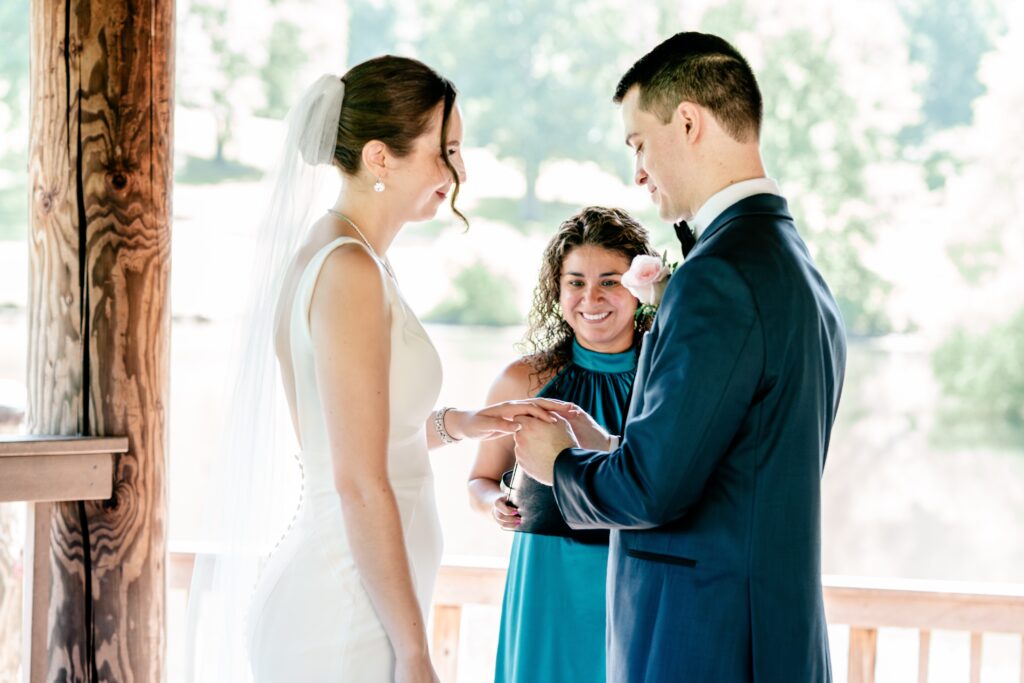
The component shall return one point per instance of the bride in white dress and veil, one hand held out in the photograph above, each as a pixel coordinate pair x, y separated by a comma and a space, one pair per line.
345, 595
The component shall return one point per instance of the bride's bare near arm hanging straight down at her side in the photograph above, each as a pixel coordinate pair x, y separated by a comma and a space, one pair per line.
350, 323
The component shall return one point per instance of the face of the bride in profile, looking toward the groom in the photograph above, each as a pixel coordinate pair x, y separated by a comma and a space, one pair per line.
421, 181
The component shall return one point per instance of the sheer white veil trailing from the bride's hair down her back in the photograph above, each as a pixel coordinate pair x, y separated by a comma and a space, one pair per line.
257, 485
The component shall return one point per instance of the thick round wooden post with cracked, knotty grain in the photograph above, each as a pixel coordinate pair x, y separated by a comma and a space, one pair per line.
101, 172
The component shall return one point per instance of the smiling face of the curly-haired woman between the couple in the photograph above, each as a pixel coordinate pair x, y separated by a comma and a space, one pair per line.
593, 301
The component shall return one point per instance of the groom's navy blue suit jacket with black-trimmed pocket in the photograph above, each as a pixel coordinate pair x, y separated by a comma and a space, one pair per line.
714, 496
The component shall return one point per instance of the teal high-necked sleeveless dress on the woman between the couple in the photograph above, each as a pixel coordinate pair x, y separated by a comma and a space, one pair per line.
553, 614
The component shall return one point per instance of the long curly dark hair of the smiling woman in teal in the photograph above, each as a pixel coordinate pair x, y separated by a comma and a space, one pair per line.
548, 345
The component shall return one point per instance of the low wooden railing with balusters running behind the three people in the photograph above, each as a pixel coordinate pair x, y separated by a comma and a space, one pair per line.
865, 606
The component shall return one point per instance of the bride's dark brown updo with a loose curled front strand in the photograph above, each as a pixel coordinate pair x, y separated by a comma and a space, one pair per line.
392, 100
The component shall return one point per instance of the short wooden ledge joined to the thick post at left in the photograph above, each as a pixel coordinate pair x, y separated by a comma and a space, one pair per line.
38, 469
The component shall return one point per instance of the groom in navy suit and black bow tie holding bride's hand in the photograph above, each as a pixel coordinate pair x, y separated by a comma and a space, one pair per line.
714, 494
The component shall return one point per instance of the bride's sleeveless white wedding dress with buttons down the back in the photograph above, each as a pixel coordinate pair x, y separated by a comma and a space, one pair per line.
311, 618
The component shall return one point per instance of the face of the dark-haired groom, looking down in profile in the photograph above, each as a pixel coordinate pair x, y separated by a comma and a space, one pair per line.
661, 156
